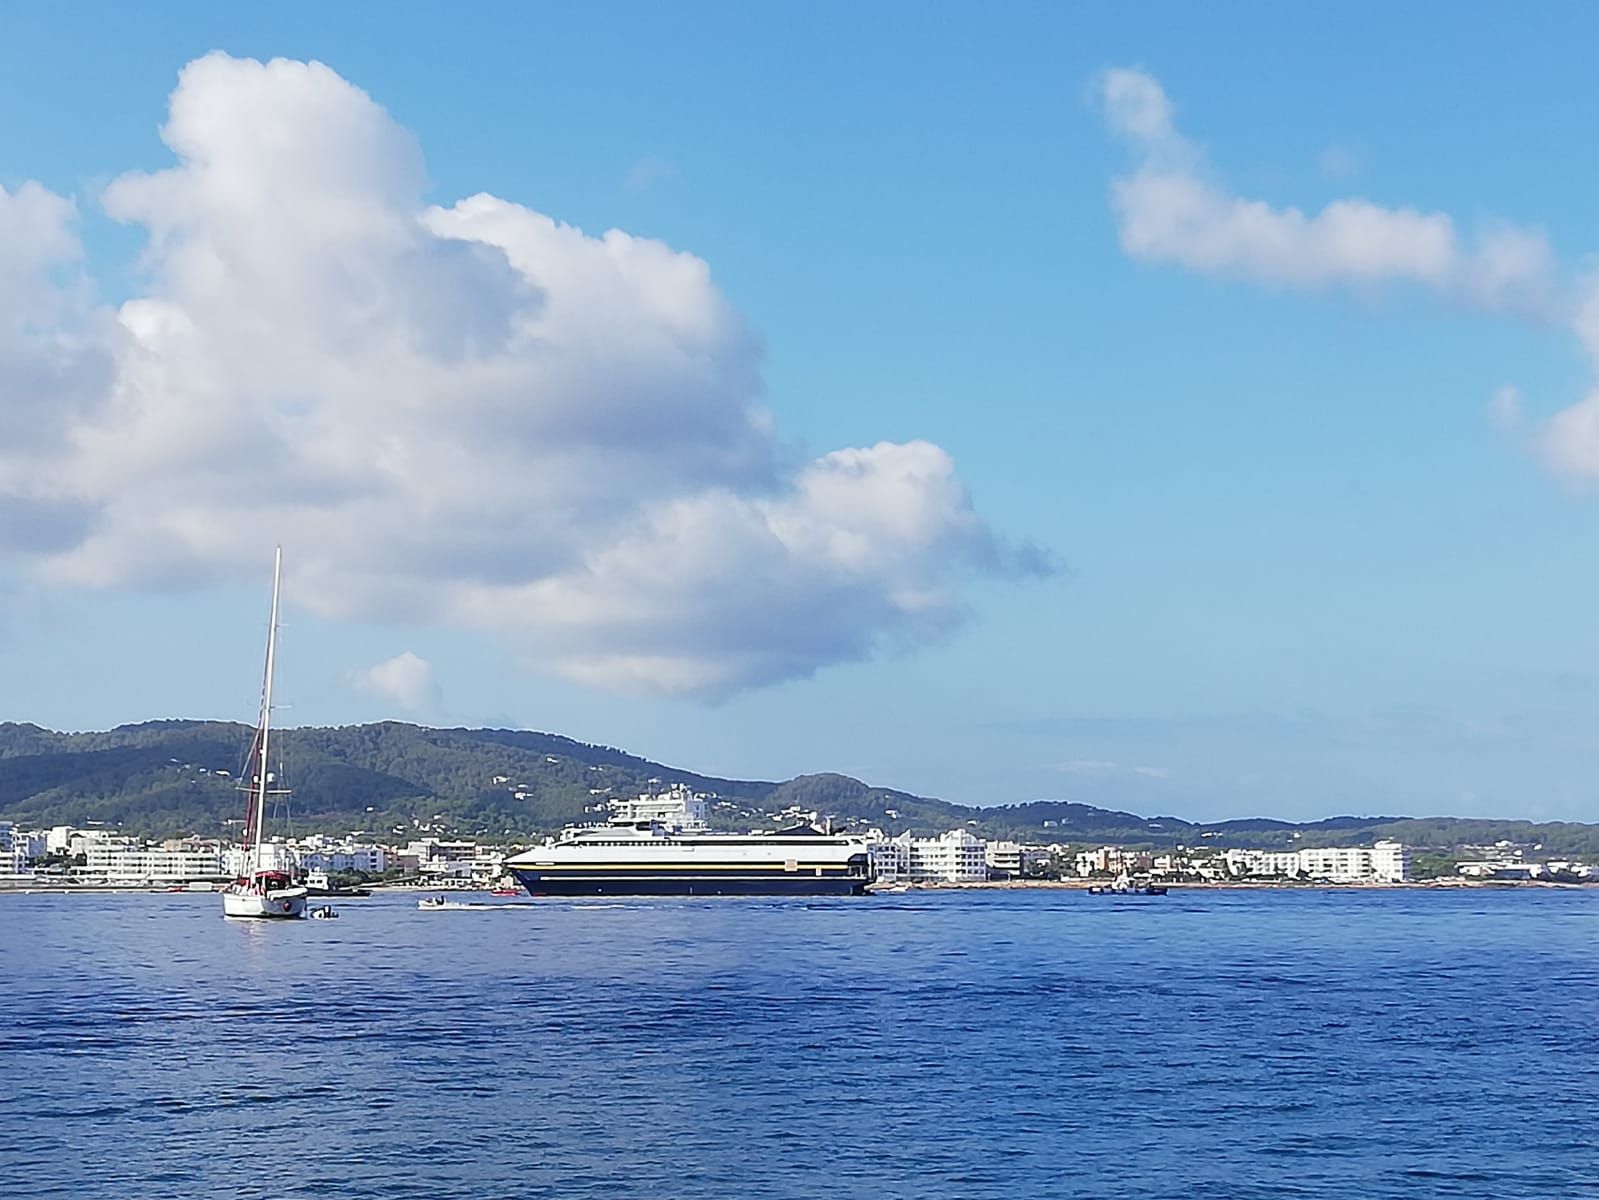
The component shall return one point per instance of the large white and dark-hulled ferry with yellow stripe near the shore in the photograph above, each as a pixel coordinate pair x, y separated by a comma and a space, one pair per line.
661, 846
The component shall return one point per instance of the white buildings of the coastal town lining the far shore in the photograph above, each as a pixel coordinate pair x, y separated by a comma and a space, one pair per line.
108, 858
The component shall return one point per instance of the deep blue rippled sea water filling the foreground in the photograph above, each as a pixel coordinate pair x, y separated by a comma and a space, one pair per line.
979, 1044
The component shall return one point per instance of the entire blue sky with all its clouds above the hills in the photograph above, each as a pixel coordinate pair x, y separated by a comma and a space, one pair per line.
1186, 410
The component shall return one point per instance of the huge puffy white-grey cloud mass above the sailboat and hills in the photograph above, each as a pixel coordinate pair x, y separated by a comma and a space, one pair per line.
469, 415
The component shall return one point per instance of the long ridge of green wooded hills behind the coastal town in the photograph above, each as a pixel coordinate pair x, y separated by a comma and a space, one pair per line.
393, 780
